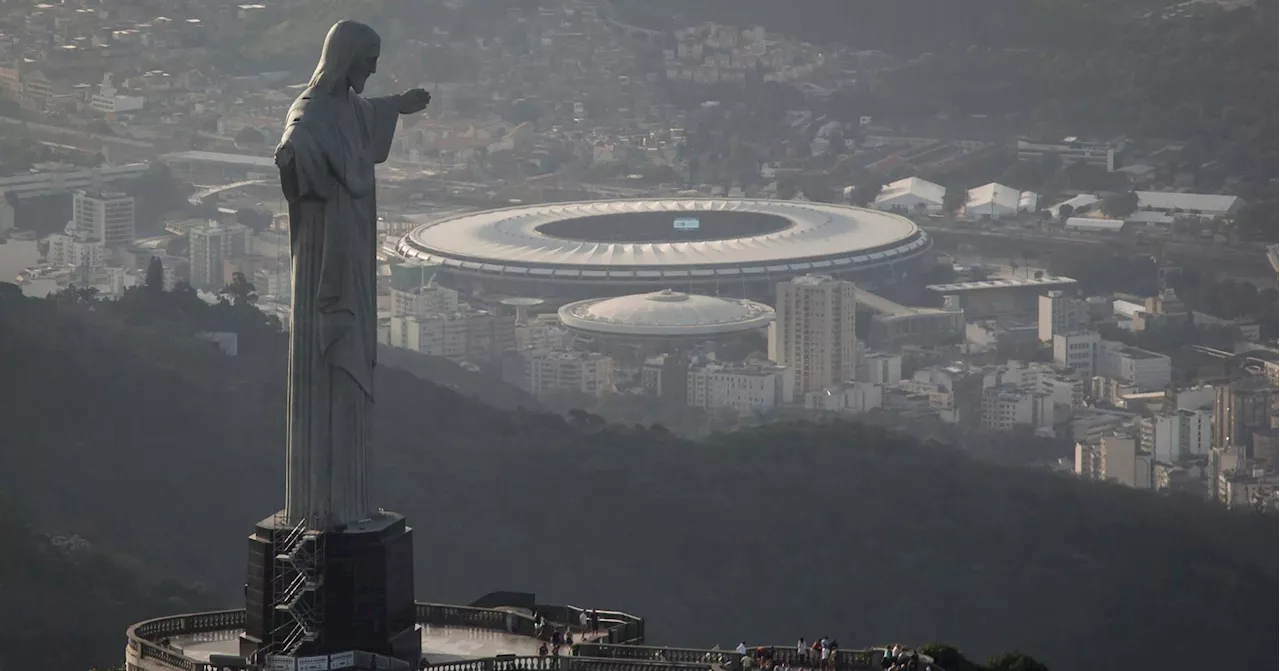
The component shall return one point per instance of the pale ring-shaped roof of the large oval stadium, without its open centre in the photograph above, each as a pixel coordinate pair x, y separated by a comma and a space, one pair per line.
819, 238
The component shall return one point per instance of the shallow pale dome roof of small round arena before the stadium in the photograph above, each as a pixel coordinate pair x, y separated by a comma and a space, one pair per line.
666, 314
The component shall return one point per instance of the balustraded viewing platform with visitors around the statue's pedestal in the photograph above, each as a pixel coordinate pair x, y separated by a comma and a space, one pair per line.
470, 638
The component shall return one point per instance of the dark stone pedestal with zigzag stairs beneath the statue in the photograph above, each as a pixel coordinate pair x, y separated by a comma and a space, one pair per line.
323, 594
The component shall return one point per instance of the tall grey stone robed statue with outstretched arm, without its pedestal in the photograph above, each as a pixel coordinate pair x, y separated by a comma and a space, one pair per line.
333, 139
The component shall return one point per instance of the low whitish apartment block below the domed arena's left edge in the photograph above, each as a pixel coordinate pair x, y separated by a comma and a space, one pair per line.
543, 372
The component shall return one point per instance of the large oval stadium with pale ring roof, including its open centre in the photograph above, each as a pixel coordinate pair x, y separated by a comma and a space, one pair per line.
714, 247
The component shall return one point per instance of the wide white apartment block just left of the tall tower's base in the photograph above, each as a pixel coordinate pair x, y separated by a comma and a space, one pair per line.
742, 387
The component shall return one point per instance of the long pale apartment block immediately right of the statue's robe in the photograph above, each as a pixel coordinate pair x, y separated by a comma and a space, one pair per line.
473, 336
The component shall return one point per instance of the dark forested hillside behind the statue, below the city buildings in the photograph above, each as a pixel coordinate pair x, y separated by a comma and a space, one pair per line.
124, 430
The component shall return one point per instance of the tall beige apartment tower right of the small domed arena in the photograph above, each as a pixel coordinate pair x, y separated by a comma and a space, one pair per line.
813, 332
